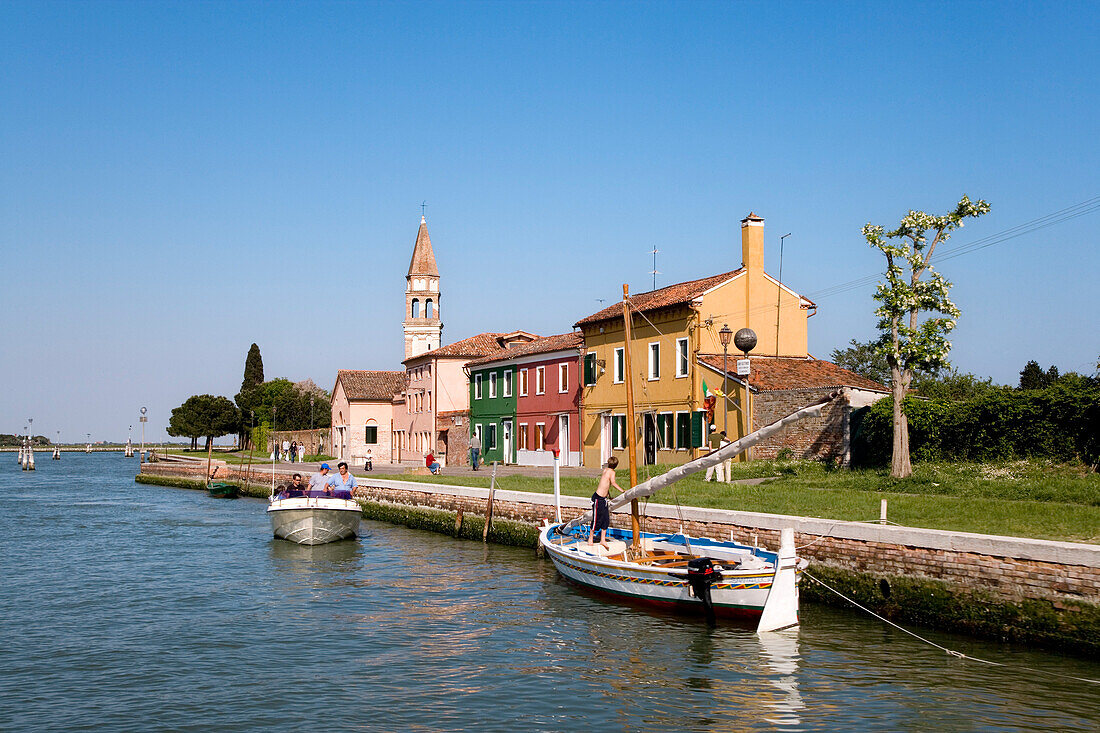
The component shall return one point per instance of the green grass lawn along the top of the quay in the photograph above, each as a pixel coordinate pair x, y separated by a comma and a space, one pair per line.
1022, 499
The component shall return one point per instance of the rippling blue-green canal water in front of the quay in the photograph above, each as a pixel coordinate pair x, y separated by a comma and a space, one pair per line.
129, 607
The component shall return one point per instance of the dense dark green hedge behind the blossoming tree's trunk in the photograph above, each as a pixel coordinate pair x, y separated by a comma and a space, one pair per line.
1061, 422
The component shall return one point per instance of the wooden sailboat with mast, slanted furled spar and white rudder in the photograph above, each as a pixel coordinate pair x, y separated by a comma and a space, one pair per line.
697, 575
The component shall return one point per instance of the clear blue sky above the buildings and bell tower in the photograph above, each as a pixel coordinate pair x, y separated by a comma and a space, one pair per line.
181, 180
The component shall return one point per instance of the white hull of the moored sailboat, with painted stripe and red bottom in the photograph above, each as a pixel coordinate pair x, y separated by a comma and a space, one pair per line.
740, 593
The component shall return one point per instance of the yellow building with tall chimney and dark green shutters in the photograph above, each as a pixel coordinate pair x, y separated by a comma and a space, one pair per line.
673, 329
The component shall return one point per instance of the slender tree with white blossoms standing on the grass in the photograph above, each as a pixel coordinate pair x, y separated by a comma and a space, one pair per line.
909, 343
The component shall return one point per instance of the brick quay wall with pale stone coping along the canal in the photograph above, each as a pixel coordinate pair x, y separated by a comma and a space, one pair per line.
1009, 588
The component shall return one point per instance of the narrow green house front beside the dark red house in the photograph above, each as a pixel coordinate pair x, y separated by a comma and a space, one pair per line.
493, 411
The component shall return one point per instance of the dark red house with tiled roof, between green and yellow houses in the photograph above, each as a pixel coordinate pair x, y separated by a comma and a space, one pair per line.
548, 397
